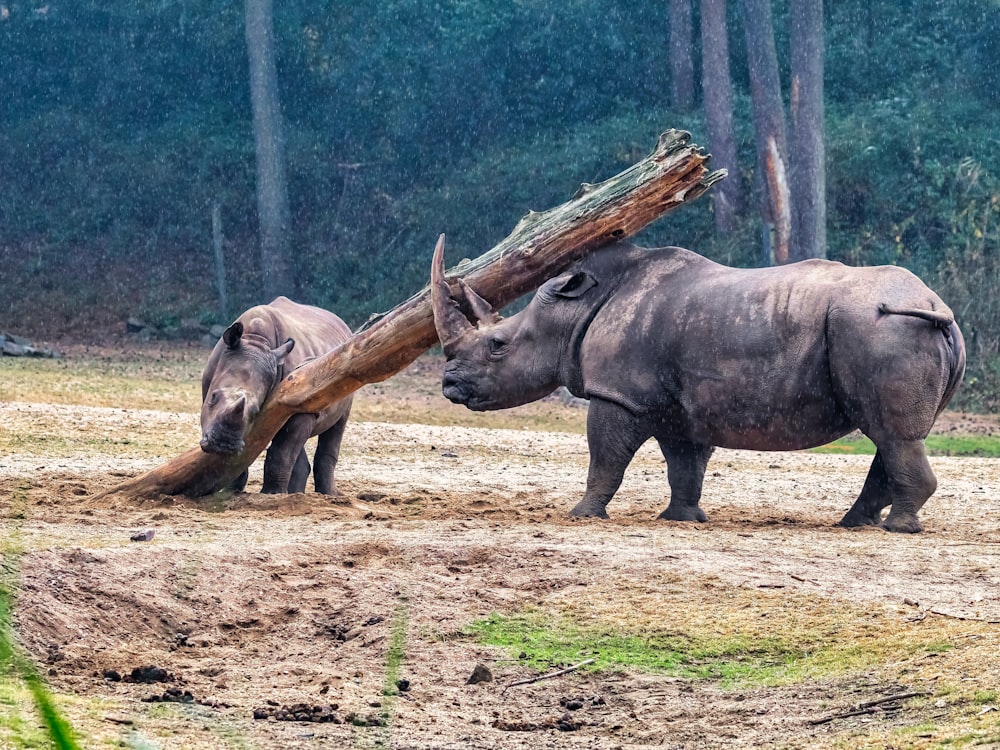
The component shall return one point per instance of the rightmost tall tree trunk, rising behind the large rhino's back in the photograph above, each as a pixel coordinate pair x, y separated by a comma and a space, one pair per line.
808, 156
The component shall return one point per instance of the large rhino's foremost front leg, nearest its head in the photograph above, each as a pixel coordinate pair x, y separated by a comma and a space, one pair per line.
613, 436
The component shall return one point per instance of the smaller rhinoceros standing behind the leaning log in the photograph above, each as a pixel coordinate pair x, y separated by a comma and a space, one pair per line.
253, 356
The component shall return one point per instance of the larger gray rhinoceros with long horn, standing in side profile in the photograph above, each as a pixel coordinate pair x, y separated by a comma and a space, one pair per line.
670, 345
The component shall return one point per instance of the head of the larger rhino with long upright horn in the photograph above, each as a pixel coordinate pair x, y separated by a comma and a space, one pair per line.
494, 362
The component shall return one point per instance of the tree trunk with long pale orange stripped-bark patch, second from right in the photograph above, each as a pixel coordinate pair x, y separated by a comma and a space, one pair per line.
769, 123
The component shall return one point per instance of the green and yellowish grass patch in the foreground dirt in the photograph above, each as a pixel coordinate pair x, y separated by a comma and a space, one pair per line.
736, 638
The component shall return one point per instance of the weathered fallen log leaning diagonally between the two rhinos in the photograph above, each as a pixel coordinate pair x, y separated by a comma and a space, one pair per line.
541, 245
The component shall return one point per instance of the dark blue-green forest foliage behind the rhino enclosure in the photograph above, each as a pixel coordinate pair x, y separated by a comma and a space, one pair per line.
125, 126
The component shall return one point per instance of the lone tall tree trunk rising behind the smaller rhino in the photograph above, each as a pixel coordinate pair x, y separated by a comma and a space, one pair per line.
273, 214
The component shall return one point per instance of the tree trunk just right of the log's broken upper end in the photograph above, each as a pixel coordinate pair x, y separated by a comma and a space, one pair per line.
717, 91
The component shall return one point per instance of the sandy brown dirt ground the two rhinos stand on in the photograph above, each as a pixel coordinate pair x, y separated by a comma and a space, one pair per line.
255, 602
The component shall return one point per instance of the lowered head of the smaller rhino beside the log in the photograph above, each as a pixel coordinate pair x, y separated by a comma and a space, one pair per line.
246, 371
